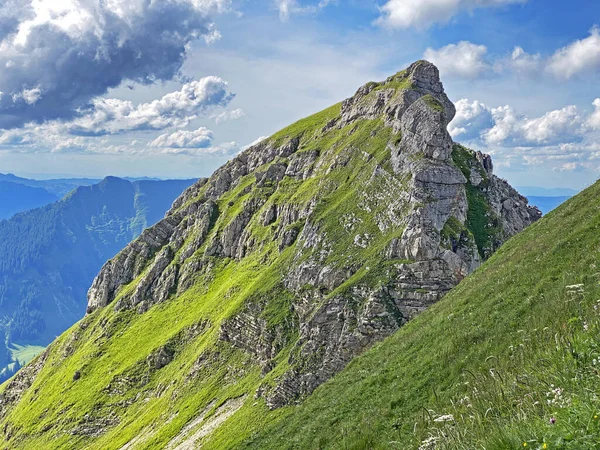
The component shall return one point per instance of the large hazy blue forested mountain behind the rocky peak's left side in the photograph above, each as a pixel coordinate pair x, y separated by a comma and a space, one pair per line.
49, 256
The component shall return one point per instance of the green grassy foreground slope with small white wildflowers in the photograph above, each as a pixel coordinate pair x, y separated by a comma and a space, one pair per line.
512, 354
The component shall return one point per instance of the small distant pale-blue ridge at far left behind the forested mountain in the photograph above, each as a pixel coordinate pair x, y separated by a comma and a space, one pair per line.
16, 198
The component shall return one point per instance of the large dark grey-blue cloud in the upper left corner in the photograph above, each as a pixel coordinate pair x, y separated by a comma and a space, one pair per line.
56, 56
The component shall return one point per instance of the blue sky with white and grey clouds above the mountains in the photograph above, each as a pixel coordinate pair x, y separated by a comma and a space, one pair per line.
92, 88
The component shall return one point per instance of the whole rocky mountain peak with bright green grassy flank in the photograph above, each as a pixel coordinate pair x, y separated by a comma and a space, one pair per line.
270, 277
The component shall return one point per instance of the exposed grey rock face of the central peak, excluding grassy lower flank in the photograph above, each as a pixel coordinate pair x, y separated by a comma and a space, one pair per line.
425, 192
